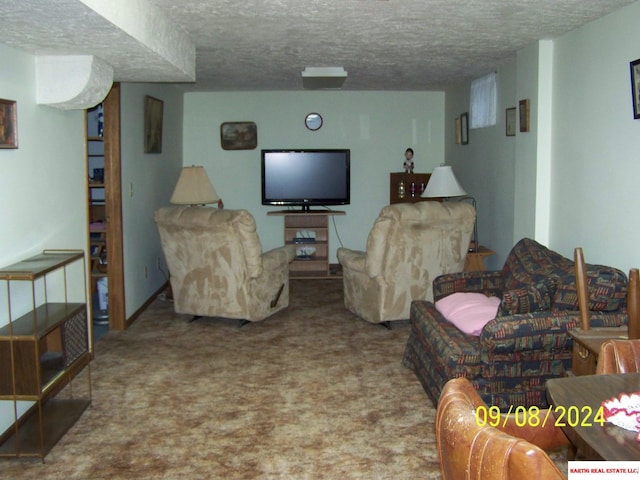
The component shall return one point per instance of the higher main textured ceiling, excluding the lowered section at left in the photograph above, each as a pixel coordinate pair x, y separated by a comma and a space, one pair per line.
383, 45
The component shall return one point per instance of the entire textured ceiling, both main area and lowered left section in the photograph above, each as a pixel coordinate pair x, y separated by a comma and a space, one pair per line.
265, 44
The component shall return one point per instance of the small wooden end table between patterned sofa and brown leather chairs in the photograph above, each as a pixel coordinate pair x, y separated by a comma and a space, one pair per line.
586, 346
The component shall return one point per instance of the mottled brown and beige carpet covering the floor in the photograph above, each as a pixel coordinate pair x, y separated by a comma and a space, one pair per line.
310, 393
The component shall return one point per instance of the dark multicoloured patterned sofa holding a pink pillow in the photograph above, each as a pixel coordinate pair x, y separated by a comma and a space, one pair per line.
527, 342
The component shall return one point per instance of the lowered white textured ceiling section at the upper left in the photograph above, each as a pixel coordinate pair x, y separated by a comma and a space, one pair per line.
141, 45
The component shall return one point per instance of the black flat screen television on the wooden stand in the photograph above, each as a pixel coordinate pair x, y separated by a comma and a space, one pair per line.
305, 178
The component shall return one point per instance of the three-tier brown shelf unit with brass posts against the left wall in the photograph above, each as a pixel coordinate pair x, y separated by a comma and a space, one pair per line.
45, 342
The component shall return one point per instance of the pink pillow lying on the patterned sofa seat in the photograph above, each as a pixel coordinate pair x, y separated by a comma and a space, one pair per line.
468, 311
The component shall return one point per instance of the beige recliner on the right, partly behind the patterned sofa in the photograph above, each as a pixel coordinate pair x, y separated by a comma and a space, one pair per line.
409, 246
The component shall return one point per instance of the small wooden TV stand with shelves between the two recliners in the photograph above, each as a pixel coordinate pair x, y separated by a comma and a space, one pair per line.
309, 232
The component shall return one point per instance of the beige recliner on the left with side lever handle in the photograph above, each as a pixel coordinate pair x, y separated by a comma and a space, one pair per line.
217, 266
